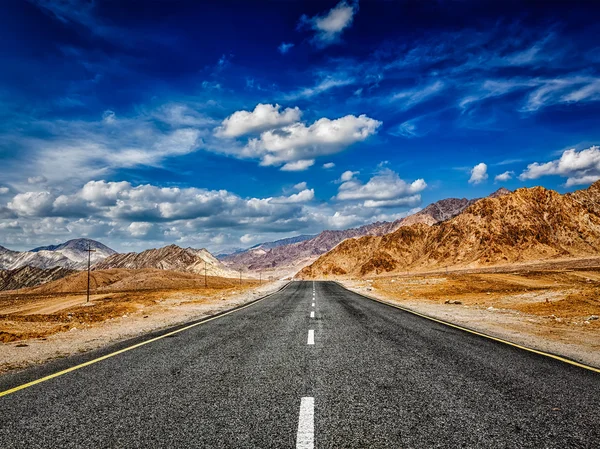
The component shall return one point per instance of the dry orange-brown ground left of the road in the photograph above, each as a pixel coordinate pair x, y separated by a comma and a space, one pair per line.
54, 320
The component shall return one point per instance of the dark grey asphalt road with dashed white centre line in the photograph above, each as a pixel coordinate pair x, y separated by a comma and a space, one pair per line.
375, 377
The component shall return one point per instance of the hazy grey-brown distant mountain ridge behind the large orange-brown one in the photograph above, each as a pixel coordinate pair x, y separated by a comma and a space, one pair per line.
288, 258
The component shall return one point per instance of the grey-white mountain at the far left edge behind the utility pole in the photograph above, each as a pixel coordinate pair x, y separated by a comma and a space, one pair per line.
72, 255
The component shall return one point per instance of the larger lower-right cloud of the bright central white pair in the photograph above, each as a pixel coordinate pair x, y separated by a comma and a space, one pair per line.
299, 142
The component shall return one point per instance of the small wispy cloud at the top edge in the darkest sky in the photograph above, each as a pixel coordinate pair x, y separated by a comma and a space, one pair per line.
329, 26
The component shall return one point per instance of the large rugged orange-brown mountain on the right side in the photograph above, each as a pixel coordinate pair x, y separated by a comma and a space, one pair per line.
525, 225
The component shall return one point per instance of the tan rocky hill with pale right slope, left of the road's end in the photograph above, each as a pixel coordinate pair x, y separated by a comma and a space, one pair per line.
170, 257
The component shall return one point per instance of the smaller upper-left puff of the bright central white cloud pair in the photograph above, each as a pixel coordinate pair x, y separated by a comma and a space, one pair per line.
264, 117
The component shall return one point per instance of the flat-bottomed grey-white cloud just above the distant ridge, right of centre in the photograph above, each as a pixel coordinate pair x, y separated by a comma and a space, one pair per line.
385, 189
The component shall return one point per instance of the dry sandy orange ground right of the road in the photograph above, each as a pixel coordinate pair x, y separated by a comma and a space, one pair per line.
553, 307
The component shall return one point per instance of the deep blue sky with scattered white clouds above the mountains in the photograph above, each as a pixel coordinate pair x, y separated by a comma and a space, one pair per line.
223, 124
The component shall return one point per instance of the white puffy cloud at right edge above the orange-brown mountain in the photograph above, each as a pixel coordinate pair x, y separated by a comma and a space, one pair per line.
579, 167
